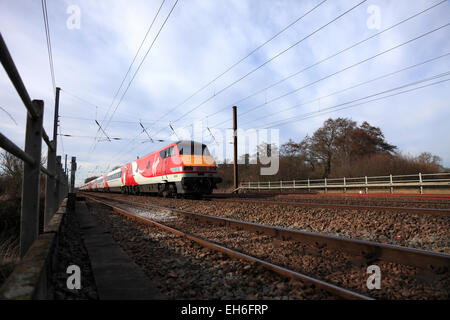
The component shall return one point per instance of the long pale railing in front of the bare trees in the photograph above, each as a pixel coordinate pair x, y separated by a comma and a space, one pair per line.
418, 180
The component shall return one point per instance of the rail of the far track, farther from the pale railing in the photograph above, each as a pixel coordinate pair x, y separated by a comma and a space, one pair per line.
434, 211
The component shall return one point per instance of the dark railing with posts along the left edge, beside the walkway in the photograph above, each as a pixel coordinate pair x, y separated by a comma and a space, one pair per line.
32, 222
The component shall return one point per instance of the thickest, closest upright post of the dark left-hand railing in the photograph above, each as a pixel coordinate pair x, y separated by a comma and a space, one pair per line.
29, 218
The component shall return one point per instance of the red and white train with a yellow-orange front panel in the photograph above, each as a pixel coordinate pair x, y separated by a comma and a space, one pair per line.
181, 168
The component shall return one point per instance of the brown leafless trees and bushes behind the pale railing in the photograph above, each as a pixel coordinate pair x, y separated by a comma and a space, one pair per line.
339, 148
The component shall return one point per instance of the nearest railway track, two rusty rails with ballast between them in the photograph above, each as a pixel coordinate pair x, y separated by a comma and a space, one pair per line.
292, 241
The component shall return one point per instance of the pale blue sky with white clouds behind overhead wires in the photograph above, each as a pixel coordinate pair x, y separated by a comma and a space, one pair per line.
94, 42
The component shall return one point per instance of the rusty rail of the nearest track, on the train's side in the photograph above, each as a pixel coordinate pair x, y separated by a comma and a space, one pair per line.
434, 261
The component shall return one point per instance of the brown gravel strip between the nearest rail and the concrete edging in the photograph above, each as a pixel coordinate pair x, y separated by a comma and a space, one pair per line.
184, 270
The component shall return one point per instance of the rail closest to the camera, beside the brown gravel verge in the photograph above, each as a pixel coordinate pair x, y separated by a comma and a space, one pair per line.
341, 292
